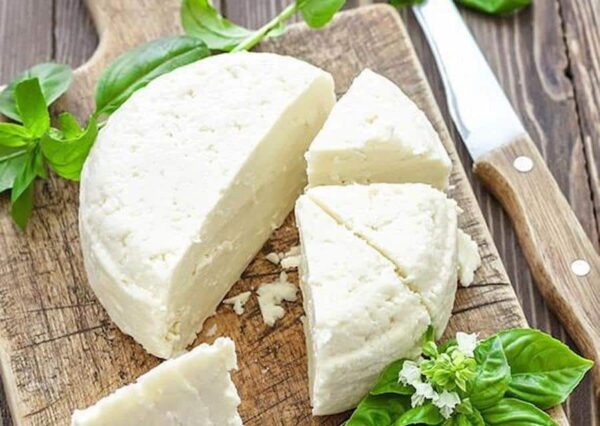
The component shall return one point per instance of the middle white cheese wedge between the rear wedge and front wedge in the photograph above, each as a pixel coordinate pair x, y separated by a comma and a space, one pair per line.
413, 225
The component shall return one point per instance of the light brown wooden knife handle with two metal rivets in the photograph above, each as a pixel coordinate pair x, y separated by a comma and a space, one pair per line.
563, 261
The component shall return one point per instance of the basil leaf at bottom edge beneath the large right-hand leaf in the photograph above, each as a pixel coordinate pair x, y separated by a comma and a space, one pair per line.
512, 412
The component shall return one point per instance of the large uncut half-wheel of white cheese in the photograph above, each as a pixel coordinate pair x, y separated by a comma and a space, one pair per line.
186, 182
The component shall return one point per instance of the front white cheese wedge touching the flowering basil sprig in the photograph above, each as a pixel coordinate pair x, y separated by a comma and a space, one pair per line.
360, 314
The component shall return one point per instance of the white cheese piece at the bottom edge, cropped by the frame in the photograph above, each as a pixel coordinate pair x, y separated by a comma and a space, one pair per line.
194, 389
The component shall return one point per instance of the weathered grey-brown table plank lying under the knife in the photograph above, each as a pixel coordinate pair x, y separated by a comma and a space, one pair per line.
543, 96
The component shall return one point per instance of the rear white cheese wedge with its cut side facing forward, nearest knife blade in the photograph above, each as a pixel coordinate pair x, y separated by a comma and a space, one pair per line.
375, 133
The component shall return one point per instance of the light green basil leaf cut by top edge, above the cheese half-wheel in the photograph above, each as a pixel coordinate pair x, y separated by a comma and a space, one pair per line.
200, 19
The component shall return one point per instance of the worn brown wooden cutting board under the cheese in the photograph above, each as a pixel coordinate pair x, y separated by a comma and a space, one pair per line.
58, 348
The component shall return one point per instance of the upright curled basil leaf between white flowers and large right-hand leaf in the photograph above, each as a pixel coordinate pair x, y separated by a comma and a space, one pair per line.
493, 375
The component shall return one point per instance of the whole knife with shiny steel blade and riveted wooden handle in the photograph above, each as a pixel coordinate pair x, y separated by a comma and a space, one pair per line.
561, 257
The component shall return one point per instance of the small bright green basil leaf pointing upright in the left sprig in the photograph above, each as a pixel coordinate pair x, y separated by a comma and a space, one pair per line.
32, 107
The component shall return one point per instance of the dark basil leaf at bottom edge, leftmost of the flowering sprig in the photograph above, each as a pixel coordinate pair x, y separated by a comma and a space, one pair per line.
379, 410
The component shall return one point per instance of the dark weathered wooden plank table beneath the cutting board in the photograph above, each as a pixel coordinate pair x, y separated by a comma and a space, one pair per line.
547, 58
